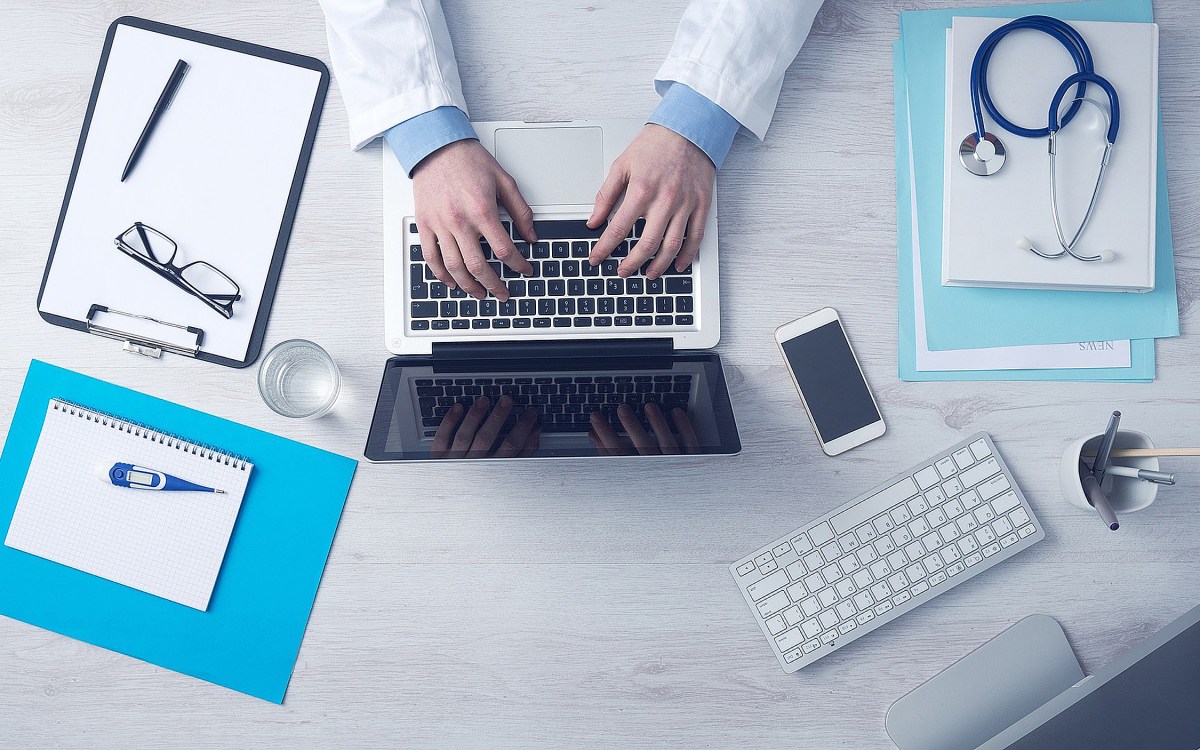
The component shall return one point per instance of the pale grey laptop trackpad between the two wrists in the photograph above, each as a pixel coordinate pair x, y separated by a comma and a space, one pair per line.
554, 166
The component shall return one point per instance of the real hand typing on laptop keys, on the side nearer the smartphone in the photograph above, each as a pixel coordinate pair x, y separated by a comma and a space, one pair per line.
668, 181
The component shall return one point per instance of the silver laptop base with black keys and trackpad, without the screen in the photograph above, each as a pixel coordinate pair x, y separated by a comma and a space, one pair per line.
560, 169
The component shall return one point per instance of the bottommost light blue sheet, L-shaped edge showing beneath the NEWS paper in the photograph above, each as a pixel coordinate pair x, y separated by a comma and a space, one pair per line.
1142, 351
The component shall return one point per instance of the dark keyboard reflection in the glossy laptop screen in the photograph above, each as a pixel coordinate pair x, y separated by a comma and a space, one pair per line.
565, 403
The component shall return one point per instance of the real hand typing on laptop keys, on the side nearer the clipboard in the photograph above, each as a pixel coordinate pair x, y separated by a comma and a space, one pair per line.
457, 190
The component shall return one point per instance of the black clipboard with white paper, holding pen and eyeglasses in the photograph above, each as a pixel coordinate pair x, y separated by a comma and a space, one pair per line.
221, 177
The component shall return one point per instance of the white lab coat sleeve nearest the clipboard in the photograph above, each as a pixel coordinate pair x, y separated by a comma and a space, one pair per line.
393, 61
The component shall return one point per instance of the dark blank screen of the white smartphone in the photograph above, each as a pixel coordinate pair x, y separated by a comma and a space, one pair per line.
835, 391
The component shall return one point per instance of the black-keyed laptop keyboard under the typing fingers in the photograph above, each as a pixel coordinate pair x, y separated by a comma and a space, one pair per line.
563, 292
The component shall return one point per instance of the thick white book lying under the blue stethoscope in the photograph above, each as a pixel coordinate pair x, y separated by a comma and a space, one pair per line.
983, 217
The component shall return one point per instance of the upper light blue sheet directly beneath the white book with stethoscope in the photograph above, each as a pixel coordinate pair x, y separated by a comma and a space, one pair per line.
968, 317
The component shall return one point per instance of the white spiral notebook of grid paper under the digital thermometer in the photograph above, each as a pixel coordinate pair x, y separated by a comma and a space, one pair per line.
167, 544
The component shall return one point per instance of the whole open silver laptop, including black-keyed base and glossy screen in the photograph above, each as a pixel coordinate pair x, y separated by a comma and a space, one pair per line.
609, 367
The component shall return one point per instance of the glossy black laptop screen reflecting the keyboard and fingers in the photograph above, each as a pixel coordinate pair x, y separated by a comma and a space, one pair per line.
637, 406
